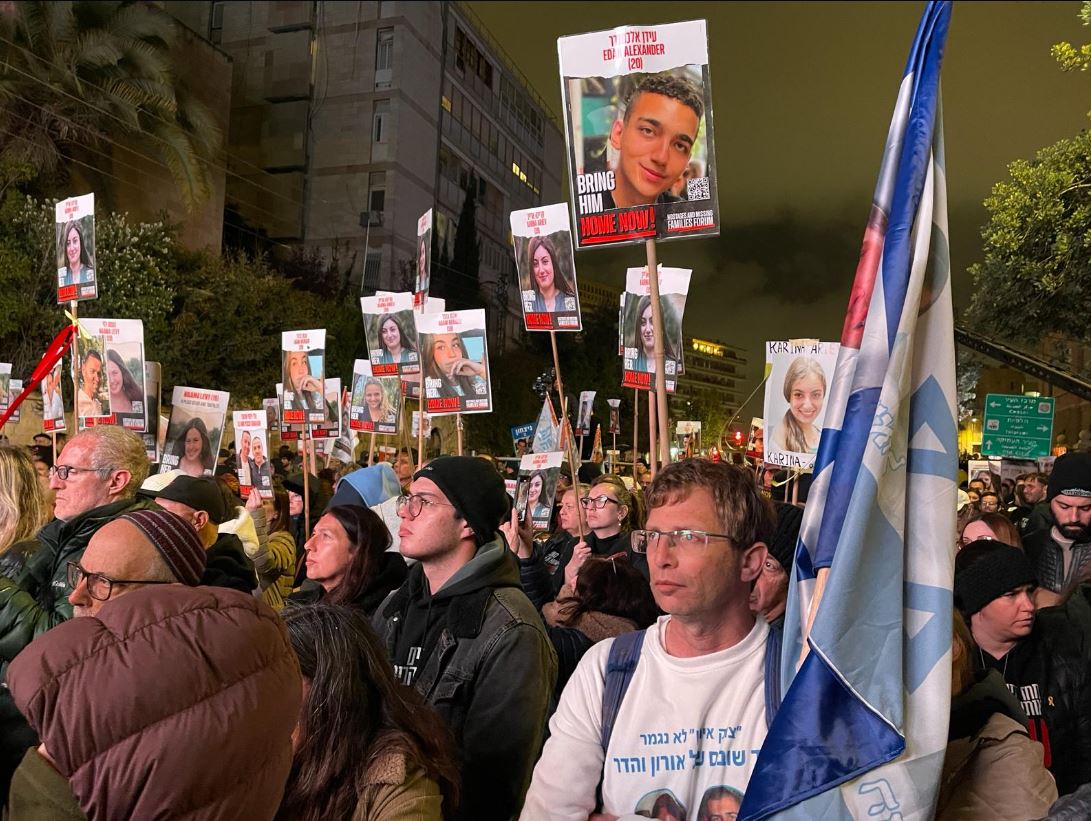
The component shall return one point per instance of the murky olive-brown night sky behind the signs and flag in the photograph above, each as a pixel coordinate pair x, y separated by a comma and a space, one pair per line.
802, 96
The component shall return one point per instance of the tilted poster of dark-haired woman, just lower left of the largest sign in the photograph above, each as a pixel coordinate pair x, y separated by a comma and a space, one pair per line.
547, 269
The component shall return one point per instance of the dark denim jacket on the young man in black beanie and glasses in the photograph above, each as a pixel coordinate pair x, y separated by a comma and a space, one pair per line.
489, 673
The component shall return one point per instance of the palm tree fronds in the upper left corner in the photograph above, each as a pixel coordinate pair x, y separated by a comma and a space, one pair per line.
77, 79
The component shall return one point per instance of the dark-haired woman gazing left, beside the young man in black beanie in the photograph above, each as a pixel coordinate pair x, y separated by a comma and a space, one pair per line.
347, 562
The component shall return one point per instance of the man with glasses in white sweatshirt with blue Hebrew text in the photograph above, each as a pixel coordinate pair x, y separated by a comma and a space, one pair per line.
693, 718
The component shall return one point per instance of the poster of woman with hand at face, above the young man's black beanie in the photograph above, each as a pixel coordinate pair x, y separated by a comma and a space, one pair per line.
455, 361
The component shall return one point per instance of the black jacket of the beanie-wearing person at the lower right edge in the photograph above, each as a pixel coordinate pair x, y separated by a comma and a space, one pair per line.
1049, 673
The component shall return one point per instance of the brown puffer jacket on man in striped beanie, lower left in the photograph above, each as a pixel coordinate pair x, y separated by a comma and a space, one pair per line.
173, 703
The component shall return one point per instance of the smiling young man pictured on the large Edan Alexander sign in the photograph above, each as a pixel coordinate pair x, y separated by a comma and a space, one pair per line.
654, 141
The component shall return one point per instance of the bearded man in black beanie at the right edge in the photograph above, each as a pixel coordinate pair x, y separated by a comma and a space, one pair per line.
1061, 549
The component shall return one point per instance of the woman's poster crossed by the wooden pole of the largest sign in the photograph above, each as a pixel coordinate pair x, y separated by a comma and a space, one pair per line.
636, 331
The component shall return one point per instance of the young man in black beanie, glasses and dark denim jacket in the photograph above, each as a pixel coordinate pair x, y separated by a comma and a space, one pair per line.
462, 632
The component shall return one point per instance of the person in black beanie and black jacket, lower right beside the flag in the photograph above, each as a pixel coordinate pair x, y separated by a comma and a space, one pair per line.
1042, 658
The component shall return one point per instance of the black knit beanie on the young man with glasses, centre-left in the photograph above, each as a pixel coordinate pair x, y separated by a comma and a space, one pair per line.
476, 490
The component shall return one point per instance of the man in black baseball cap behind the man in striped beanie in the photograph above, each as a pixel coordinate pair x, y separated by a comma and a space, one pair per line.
199, 501
